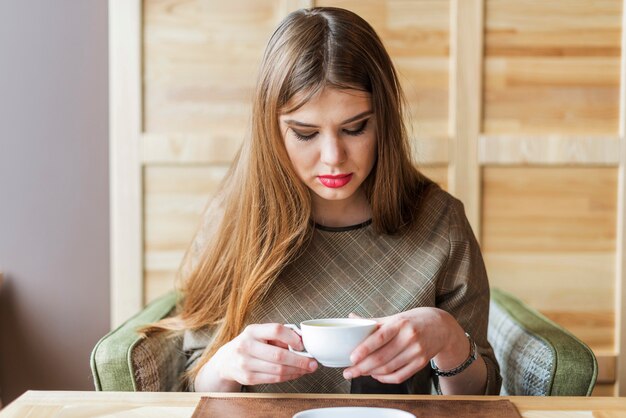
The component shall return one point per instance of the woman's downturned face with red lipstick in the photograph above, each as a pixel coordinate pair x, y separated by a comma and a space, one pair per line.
331, 142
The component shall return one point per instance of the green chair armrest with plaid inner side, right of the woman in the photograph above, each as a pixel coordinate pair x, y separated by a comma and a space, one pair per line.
537, 357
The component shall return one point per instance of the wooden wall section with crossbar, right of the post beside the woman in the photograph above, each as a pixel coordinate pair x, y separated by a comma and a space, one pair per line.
548, 148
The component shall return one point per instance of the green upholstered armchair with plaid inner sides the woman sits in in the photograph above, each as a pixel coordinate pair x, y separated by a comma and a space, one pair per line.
536, 356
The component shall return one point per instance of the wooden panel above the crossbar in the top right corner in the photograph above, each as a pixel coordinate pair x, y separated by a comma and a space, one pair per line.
552, 66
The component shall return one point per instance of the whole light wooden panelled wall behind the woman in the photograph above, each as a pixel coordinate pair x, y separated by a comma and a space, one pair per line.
514, 107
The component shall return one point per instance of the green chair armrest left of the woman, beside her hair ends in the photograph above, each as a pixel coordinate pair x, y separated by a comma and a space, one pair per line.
114, 362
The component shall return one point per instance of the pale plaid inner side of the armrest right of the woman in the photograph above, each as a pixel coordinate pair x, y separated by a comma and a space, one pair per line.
524, 359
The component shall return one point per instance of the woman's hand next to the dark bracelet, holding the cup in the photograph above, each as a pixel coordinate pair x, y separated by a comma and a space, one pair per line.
404, 344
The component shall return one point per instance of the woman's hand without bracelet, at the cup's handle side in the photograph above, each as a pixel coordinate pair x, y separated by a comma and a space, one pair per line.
258, 355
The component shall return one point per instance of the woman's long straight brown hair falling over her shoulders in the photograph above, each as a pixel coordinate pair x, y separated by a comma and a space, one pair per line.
261, 218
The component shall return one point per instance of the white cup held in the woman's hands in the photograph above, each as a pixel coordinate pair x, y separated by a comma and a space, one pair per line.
331, 341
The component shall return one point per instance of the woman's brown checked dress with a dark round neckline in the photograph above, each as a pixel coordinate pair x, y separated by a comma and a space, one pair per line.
435, 263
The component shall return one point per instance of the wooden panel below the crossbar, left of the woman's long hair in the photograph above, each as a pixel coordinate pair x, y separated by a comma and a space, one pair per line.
175, 197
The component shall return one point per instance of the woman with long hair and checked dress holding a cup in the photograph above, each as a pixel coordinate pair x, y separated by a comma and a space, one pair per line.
323, 215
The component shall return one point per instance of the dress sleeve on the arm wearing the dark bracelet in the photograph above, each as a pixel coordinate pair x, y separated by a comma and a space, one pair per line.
463, 290
